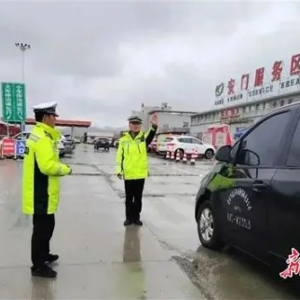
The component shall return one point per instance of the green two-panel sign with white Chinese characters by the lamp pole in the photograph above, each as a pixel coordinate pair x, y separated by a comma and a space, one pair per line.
13, 102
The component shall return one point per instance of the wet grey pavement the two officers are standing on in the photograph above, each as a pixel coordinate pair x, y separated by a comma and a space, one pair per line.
100, 259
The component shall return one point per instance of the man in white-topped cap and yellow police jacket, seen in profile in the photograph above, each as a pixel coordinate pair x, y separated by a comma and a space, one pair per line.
41, 186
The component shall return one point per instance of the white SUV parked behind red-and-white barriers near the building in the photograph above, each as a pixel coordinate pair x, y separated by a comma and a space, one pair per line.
185, 143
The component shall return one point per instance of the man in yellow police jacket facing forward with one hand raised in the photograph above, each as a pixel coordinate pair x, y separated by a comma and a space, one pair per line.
132, 166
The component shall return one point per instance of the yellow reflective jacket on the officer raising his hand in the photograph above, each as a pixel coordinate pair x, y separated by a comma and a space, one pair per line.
132, 158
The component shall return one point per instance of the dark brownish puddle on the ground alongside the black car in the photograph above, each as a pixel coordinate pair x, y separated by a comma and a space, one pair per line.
233, 275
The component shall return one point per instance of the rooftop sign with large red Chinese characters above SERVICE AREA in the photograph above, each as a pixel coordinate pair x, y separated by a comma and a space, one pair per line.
277, 86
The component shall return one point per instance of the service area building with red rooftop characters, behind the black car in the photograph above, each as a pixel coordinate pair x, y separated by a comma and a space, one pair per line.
241, 103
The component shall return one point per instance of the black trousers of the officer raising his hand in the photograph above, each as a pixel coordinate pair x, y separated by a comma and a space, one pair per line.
133, 203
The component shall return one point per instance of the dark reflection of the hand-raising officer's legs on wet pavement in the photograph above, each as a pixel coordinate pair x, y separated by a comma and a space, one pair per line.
132, 245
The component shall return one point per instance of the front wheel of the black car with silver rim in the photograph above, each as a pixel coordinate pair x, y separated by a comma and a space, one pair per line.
208, 232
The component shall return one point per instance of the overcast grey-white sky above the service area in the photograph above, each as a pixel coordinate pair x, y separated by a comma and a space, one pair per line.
100, 60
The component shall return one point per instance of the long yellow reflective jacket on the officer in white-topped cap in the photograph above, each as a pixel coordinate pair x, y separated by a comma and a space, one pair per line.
41, 171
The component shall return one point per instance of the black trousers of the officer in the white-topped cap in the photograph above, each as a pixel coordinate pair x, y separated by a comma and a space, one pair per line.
43, 227
